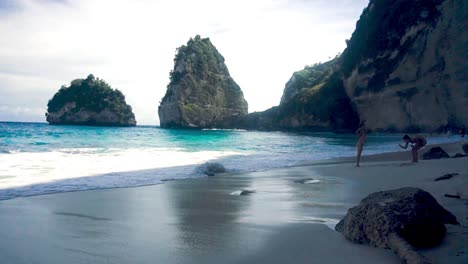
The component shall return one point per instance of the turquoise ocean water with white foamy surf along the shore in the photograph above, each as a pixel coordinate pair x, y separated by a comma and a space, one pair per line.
36, 158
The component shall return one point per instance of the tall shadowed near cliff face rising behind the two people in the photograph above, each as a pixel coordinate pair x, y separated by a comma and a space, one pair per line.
405, 66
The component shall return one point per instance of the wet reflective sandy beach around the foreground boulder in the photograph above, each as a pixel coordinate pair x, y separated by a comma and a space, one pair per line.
289, 217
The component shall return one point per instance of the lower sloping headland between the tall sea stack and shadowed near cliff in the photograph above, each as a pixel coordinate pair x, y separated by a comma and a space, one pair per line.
313, 99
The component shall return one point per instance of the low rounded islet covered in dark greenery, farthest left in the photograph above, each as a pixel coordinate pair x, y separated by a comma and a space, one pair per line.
90, 102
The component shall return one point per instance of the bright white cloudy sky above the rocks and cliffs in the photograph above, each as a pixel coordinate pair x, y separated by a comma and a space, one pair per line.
131, 44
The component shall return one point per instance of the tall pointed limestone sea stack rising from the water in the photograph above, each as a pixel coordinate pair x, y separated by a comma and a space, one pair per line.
201, 93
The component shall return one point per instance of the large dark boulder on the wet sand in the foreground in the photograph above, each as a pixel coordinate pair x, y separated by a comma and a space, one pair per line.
398, 219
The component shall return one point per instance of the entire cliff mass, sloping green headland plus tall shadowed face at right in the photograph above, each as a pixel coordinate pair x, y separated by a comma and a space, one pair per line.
404, 69
